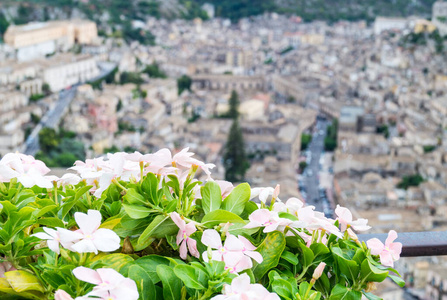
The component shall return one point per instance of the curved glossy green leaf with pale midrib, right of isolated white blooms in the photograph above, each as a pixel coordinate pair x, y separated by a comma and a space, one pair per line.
160, 227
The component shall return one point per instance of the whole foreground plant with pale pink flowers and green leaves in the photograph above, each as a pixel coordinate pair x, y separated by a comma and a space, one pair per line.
228, 243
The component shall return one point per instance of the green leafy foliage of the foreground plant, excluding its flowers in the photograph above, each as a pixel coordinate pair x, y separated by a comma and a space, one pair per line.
141, 211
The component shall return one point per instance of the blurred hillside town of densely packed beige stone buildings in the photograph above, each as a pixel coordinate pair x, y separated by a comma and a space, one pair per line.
347, 113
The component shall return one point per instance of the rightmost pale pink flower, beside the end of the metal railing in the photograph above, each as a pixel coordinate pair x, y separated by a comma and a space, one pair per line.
390, 252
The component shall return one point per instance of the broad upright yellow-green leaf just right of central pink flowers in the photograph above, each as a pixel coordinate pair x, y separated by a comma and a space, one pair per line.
271, 249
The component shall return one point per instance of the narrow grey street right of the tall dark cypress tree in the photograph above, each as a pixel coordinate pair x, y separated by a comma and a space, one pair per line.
311, 173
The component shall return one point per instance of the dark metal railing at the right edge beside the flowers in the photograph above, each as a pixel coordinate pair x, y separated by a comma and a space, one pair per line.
426, 243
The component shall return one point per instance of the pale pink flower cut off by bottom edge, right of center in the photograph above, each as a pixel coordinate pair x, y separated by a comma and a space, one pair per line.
241, 289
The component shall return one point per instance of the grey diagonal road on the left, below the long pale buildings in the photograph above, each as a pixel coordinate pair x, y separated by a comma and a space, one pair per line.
53, 117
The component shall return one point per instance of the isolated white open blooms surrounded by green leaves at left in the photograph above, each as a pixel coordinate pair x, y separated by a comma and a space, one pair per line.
88, 238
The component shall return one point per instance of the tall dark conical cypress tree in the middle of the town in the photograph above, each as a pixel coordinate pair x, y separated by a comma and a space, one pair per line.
235, 159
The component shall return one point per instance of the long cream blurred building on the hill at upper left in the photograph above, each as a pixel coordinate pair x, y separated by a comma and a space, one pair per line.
34, 40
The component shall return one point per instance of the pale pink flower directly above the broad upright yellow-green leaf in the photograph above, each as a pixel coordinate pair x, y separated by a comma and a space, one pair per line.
268, 219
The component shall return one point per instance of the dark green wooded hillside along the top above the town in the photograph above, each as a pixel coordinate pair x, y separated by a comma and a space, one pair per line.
118, 11
